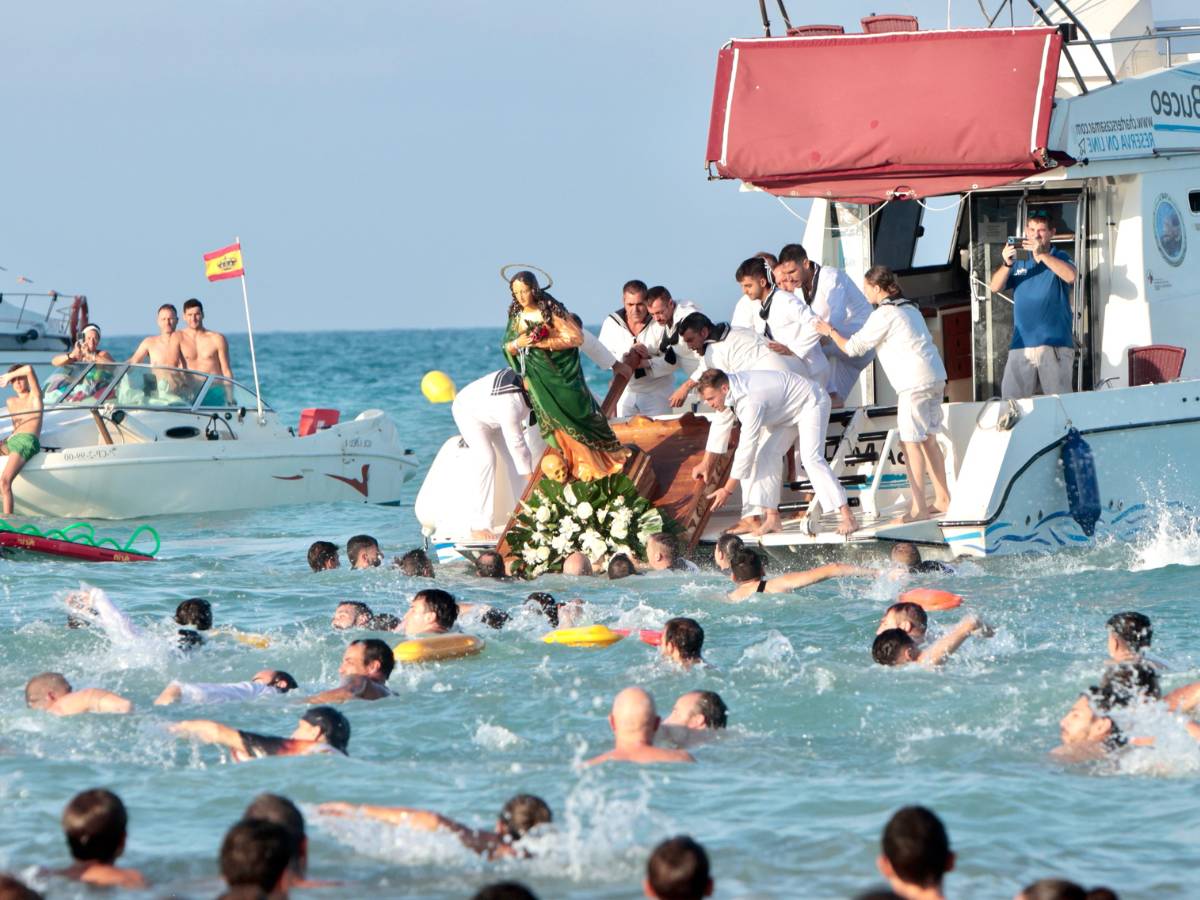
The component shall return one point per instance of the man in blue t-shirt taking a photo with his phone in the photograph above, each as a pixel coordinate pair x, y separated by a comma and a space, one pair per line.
1042, 352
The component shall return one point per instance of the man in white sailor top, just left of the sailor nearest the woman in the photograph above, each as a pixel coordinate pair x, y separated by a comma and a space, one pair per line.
788, 323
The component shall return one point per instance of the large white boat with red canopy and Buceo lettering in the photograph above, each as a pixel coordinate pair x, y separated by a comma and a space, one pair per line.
925, 152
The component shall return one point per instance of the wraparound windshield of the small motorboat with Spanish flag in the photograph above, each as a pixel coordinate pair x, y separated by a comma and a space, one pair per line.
85, 385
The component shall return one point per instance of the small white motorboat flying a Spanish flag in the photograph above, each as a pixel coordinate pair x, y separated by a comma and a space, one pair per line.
129, 441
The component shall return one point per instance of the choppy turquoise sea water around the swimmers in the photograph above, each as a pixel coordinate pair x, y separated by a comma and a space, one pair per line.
823, 746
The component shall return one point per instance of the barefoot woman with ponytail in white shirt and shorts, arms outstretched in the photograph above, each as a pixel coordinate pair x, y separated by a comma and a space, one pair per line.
897, 331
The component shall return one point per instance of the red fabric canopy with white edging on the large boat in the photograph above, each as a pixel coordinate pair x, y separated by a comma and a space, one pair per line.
879, 117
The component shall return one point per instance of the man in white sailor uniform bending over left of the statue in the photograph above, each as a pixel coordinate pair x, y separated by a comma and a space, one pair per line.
493, 413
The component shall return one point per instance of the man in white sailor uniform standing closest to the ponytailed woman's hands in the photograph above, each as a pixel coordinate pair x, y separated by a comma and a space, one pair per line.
835, 298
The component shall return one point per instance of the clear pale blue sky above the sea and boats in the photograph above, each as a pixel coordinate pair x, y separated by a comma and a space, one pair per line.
380, 160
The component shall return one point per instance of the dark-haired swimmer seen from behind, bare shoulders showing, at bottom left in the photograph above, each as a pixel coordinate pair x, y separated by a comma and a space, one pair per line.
97, 825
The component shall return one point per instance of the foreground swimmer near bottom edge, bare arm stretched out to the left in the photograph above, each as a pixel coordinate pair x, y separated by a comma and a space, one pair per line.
520, 817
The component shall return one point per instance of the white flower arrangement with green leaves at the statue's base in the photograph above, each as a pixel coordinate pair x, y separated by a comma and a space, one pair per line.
597, 518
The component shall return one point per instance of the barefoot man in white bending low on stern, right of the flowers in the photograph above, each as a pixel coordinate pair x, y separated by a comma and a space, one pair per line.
775, 410
